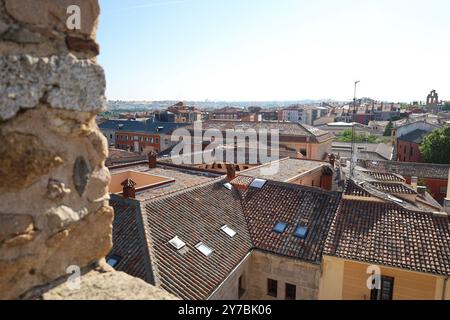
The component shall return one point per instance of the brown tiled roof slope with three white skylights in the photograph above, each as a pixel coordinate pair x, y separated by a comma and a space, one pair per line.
196, 216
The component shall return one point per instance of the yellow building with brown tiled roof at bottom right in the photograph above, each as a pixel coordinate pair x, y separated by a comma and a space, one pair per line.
407, 250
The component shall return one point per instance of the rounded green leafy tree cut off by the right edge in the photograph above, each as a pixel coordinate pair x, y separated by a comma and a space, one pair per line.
435, 147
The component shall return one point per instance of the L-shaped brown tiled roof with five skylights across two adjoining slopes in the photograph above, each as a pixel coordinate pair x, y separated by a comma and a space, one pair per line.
197, 214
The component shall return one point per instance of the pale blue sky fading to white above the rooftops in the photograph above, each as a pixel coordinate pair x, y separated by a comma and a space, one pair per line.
255, 50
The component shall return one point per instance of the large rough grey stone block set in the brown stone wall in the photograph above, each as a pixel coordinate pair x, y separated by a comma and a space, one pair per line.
61, 81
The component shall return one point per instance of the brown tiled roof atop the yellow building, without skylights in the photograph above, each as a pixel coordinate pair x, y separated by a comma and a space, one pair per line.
390, 235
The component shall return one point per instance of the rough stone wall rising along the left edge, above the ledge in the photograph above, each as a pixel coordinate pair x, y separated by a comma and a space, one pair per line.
54, 209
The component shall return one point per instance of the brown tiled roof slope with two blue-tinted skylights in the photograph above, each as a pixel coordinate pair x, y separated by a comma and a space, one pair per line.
295, 205
